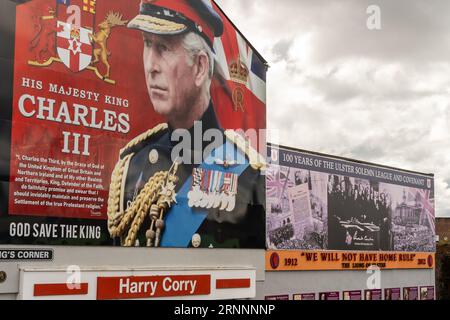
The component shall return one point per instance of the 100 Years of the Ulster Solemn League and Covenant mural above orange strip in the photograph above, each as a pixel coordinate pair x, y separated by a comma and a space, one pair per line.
322, 203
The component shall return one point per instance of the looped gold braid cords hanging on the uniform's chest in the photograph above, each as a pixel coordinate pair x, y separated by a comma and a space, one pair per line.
154, 199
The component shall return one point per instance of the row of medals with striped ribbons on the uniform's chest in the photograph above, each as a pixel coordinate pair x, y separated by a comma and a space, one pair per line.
213, 189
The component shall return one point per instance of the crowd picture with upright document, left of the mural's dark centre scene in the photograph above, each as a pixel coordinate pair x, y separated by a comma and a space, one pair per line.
302, 197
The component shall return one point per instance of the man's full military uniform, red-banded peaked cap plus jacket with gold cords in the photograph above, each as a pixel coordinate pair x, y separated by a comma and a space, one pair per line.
156, 201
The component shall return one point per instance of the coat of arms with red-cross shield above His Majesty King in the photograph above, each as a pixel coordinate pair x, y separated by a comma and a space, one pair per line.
78, 46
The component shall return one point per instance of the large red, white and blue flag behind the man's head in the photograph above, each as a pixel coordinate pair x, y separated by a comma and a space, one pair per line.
248, 108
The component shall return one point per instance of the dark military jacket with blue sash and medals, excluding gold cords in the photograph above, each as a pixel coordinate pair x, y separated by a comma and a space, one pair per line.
216, 224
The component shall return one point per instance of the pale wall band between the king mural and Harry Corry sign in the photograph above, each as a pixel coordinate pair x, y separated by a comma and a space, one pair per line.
134, 257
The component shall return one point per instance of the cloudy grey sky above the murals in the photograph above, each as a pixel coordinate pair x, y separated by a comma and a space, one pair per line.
336, 87
